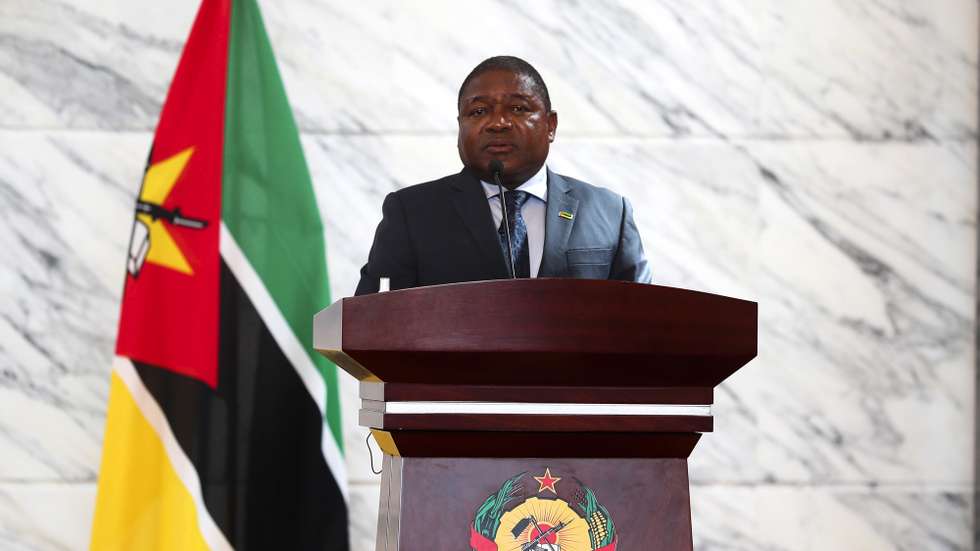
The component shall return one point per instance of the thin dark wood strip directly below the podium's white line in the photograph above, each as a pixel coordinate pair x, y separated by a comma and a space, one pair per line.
536, 423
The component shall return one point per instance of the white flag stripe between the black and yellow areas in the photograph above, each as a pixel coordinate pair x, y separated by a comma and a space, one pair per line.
181, 464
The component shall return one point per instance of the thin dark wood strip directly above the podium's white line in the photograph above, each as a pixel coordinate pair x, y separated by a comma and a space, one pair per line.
401, 392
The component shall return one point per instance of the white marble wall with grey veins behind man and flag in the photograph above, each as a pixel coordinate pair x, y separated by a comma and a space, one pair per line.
817, 157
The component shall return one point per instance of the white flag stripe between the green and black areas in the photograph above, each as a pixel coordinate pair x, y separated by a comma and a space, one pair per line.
250, 281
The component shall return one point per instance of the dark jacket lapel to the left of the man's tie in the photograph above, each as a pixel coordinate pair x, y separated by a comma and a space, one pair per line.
474, 210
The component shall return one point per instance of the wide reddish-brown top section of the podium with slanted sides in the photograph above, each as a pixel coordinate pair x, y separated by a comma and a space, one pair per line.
546, 332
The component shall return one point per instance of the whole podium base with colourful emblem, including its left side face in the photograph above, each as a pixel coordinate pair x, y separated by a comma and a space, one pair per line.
532, 504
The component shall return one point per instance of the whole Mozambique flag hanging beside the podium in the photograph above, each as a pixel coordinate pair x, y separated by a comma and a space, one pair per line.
223, 427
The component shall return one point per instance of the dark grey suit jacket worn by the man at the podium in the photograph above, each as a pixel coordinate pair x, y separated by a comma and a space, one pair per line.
442, 232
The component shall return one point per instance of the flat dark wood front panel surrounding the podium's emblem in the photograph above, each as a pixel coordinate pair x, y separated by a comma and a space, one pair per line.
647, 501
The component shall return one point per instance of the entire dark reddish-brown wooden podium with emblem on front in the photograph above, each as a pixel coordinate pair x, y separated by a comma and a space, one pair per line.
537, 414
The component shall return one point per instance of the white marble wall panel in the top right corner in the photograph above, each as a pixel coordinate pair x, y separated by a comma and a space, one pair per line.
869, 69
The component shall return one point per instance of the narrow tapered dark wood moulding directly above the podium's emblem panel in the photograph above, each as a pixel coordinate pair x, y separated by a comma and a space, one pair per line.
544, 444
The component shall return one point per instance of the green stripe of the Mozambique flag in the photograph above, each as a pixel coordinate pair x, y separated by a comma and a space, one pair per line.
268, 203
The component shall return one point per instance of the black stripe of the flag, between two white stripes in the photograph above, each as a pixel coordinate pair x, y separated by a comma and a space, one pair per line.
255, 442
